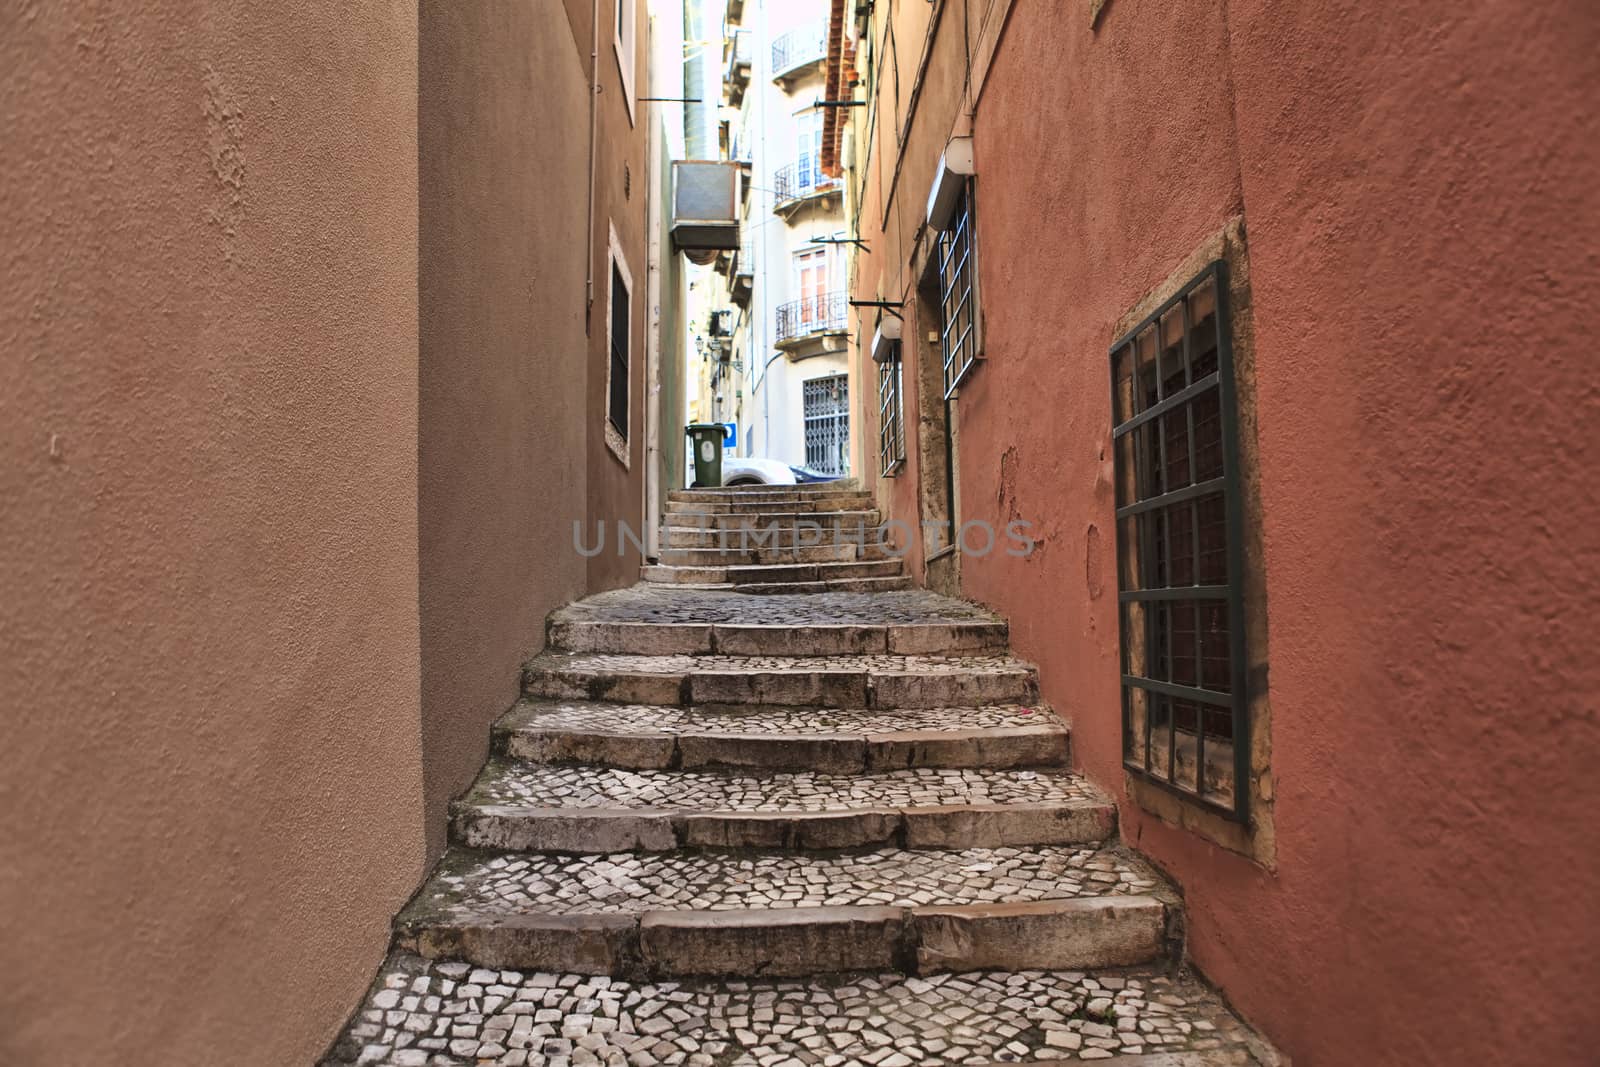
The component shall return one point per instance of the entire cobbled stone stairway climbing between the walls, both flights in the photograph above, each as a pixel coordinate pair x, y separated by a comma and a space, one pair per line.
831, 828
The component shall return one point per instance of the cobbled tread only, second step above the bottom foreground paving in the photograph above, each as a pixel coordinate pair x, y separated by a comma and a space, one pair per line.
534, 786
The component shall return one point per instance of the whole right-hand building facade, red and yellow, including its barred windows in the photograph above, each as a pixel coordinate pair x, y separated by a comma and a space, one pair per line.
1222, 305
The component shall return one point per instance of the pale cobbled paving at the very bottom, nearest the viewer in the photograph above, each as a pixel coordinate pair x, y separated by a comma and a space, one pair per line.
426, 1013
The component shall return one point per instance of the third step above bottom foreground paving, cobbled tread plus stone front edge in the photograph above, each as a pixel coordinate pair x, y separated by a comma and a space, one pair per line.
828, 741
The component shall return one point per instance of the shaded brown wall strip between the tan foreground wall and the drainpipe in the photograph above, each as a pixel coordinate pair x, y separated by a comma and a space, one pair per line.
502, 380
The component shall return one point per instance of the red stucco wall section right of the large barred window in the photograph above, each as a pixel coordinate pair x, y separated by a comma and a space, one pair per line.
1423, 210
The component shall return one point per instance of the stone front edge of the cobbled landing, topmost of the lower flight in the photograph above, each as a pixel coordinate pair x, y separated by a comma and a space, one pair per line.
785, 636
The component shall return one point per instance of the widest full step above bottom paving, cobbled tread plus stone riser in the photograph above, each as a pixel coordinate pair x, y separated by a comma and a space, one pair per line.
783, 914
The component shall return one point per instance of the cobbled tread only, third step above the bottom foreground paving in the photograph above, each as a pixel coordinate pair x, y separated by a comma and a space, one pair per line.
756, 719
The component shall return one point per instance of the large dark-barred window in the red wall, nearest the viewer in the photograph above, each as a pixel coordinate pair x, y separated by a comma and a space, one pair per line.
1180, 549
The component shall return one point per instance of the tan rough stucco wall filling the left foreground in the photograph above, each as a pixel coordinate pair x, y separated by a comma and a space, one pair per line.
209, 786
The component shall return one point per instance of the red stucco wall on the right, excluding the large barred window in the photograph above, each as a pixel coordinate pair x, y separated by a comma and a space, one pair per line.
1418, 193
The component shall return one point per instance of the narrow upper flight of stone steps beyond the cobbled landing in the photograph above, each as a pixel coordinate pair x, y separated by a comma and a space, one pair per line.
777, 540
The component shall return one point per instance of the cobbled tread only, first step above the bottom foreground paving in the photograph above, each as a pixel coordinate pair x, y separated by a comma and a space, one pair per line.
630, 882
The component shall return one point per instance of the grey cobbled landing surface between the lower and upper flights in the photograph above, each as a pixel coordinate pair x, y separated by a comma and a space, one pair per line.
665, 604
